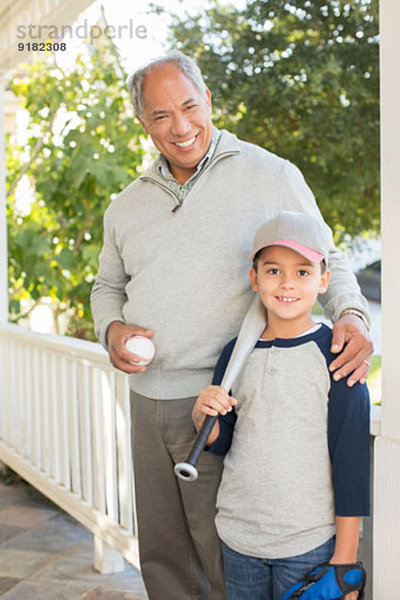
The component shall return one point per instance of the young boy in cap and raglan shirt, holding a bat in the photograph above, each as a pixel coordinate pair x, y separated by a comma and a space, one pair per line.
296, 473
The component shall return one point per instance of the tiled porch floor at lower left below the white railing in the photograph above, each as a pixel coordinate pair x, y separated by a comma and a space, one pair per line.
47, 555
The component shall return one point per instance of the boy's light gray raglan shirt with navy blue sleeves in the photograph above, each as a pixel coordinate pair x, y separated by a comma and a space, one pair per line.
296, 449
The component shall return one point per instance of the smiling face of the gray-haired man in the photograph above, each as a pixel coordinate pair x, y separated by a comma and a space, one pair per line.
178, 119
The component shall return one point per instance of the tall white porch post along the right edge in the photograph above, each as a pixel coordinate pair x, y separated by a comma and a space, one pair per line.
387, 451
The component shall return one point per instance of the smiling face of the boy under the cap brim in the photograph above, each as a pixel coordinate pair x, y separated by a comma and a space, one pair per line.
288, 283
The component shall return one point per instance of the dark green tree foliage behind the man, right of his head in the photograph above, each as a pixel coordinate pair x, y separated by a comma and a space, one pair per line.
300, 78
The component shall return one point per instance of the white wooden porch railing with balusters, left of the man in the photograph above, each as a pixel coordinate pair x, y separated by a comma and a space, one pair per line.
65, 428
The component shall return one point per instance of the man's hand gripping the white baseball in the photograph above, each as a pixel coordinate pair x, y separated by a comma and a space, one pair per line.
120, 357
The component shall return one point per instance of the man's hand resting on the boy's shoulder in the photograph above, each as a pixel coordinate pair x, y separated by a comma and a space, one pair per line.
350, 333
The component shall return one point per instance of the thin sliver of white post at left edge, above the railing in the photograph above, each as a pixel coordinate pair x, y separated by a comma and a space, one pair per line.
3, 215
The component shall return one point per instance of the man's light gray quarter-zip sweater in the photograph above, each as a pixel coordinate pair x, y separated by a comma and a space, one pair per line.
181, 269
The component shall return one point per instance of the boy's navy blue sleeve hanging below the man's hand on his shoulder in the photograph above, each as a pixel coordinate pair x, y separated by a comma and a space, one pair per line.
348, 440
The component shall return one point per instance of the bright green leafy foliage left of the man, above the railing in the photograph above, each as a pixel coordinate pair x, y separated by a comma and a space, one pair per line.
82, 147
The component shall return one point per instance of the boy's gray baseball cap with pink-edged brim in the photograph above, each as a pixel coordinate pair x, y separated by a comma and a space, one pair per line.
299, 231
